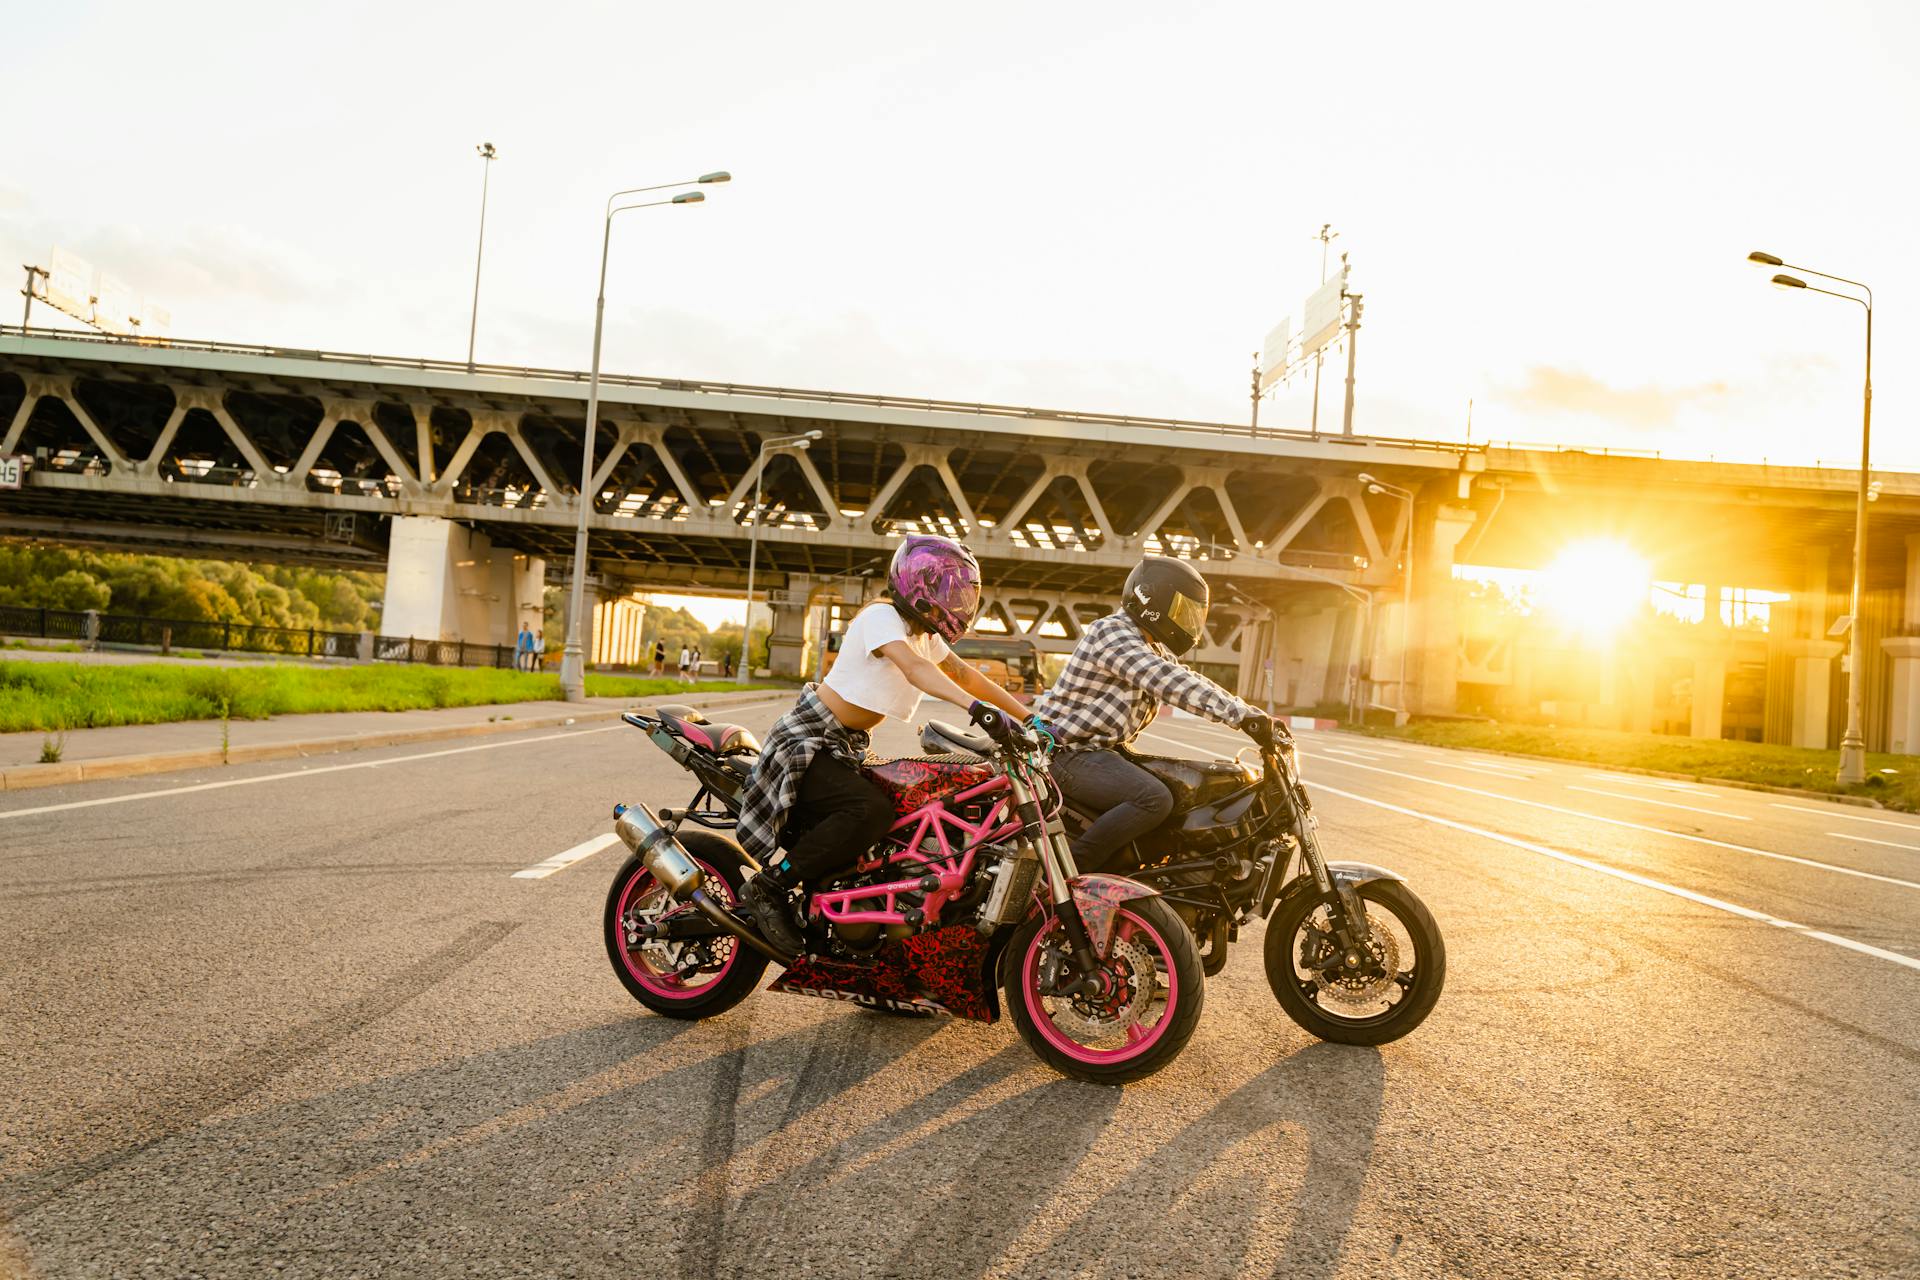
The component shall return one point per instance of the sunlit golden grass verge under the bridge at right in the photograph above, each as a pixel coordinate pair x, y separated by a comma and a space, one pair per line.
1890, 780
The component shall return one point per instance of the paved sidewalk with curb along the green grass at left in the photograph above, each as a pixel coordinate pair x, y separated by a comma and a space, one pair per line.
128, 751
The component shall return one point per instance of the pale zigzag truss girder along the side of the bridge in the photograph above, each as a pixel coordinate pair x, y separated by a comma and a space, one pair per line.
412, 486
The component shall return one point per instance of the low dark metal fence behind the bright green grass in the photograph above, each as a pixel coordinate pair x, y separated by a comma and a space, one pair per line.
87, 627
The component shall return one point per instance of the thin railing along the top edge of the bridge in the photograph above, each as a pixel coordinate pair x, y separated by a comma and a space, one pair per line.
742, 389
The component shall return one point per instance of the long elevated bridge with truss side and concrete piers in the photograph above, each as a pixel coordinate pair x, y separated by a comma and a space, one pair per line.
464, 488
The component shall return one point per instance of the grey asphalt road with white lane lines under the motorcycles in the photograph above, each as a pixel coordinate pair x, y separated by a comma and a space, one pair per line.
310, 1024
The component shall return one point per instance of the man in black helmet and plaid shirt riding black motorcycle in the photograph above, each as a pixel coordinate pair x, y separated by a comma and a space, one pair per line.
1115, 682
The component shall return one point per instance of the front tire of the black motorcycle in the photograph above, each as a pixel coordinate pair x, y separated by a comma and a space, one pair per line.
1293, 989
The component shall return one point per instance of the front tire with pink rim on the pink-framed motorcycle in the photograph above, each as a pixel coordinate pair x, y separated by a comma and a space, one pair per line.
1153, 928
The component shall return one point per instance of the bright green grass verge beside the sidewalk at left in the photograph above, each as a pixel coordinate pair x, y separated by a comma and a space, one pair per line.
62, 696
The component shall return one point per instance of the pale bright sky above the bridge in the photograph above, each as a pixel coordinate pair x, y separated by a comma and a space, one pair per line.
1068, 206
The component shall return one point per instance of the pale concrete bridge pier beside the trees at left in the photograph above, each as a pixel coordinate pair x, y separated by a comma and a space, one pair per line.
446, 581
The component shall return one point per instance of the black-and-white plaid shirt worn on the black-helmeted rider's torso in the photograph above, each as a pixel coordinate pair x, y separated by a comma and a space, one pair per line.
1115, 684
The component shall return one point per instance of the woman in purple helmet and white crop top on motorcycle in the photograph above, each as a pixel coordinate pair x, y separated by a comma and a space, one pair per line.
809, 790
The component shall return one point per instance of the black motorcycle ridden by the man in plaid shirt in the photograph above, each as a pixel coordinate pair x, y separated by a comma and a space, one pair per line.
1353, 955
